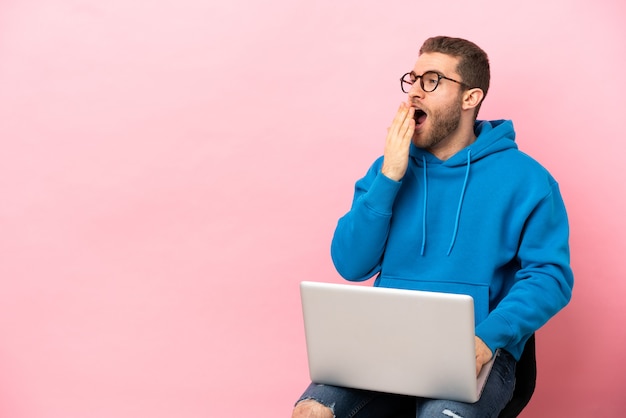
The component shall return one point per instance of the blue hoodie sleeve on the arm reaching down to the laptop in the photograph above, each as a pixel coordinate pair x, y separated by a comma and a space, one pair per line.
544, 283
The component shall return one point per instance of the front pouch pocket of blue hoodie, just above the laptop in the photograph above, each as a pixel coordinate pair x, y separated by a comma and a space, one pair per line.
479, 292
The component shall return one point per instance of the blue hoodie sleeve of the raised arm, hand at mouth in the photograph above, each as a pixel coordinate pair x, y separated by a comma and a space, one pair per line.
361, 234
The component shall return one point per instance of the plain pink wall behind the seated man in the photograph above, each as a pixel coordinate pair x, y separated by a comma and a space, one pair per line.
170, 171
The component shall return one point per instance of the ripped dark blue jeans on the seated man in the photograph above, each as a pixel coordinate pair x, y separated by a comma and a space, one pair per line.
356, 403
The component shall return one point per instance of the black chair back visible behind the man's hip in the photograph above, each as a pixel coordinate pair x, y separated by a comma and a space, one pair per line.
525, 380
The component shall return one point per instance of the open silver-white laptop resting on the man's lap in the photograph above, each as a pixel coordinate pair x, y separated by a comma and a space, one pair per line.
392, 340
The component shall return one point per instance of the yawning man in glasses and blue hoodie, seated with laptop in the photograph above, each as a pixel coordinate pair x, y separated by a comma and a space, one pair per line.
454, 206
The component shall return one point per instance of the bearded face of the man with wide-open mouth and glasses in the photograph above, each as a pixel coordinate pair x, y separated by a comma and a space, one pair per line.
437, 113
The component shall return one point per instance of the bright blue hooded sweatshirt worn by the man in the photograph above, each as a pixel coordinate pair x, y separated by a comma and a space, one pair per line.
489, 222
